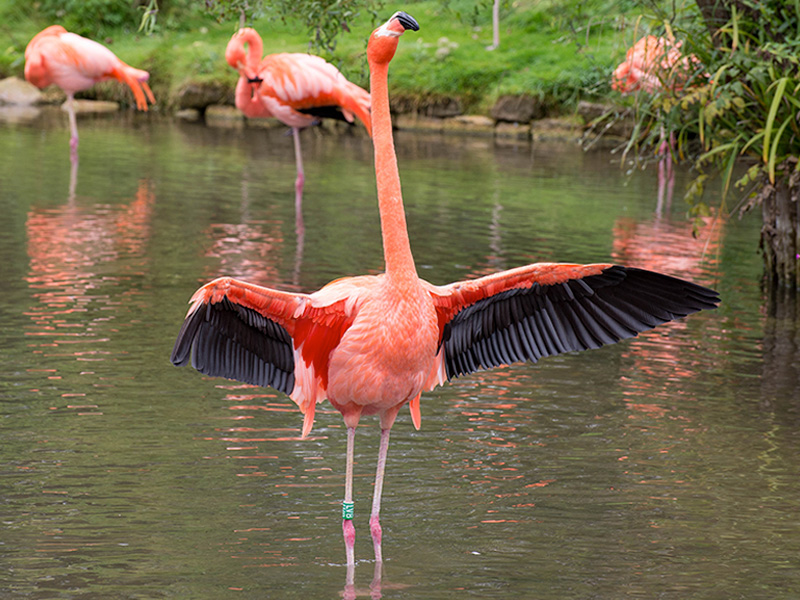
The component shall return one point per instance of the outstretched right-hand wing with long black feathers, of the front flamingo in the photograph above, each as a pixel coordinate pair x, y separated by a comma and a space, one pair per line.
546, 309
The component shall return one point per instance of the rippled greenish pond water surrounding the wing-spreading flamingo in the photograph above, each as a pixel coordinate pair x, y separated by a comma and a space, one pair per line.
665, 466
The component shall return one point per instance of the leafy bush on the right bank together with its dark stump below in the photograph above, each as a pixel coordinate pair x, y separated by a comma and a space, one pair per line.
744, 108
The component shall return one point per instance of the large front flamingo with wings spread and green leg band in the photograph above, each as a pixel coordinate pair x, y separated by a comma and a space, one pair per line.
372, 344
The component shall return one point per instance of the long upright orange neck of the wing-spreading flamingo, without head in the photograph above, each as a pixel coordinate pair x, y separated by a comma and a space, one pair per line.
396, 246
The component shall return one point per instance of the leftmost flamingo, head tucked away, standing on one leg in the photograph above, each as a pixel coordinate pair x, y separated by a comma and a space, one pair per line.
75, 63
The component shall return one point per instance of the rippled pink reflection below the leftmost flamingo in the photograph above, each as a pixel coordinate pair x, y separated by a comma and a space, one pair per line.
76, 253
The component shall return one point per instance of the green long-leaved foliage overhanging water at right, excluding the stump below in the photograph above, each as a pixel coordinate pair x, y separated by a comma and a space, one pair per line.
744, 106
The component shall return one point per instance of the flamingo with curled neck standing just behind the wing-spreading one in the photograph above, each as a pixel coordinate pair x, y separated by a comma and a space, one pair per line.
297, 89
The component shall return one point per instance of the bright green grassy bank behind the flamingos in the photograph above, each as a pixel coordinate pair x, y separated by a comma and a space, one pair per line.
549, 49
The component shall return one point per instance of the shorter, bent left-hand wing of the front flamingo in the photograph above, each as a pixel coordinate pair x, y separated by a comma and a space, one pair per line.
267, 337
